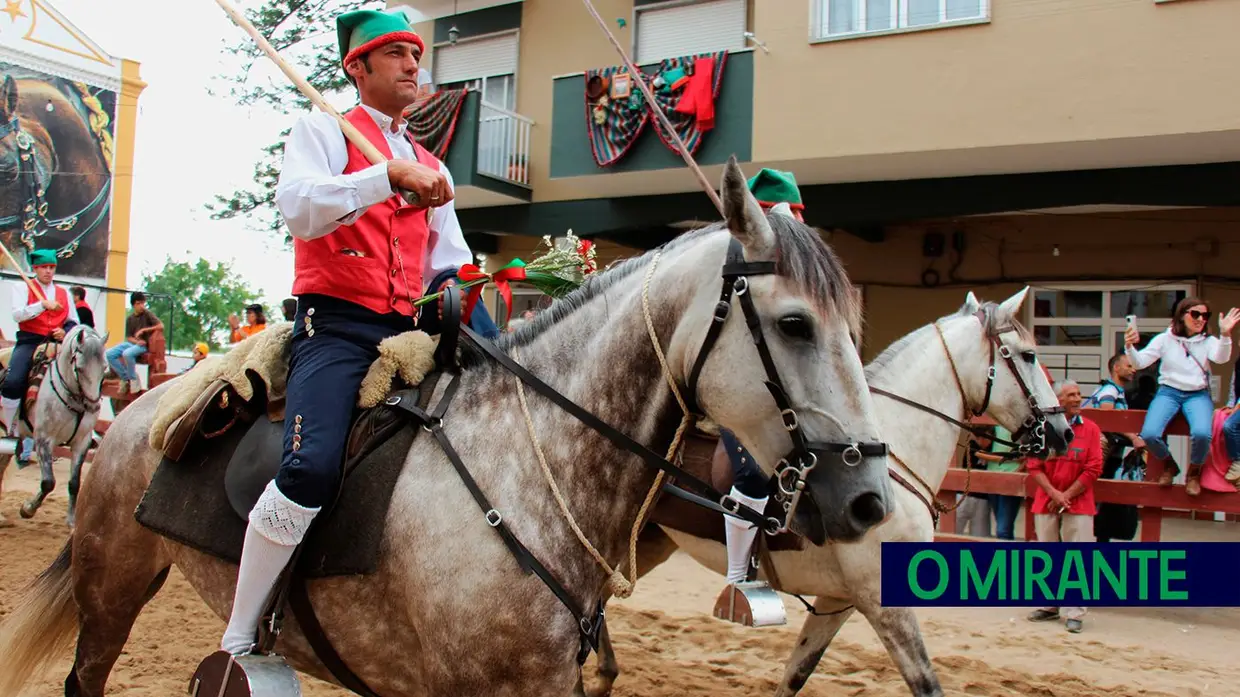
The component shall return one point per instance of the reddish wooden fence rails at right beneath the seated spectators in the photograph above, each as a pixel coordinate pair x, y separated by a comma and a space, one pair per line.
1153, 500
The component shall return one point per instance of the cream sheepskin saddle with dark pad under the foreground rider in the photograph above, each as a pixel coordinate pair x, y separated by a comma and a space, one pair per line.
221, 432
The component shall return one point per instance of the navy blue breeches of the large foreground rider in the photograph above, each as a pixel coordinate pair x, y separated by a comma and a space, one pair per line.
334, 344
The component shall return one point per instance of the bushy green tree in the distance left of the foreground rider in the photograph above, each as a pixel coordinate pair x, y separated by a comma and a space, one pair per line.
201, 298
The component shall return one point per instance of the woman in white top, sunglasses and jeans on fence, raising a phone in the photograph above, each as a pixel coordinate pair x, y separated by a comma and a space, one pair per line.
1186, 352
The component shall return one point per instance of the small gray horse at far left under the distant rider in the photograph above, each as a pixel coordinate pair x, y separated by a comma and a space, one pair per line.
65, 414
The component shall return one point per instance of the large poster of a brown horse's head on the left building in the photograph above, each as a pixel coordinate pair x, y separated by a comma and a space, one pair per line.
56, 153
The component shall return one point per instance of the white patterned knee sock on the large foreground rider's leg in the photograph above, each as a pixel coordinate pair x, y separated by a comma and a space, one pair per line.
277, 526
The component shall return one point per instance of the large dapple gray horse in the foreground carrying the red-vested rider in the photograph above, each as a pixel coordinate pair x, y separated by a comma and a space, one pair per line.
449, 611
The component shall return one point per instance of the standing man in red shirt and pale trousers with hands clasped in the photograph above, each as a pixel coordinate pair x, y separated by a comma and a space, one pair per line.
1063, 505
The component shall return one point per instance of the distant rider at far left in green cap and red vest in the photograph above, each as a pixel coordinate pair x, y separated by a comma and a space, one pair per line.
39, 322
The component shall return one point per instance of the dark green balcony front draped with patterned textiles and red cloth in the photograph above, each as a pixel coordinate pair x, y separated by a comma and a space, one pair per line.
571, 156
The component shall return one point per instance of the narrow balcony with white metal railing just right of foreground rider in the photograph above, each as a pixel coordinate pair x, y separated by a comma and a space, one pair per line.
489, 156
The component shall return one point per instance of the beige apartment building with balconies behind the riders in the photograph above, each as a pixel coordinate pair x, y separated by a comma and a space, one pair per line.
1091, 149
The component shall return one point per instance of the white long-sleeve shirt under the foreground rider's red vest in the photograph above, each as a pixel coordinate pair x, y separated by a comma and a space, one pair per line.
316, 198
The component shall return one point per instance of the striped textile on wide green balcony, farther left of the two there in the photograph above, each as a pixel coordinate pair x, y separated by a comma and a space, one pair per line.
616, 113
